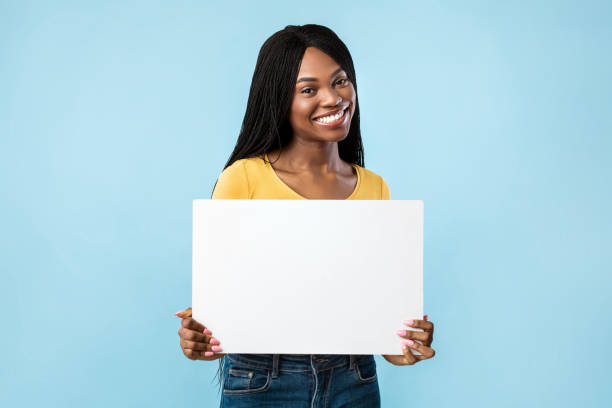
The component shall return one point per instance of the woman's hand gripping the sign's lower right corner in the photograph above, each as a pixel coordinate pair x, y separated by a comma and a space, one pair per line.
426, 337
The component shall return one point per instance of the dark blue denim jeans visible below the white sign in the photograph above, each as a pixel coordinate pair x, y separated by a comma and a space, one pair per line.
299, 381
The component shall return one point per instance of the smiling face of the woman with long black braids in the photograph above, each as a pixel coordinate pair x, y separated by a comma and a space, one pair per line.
322, 88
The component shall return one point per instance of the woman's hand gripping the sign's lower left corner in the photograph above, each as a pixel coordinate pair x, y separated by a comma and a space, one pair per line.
196, 340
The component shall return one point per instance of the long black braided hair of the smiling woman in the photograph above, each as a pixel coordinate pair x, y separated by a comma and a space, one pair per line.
266, 126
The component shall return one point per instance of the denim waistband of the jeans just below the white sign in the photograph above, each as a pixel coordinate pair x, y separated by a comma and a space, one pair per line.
296, 362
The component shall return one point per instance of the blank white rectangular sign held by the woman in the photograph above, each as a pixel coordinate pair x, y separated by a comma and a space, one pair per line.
307, 276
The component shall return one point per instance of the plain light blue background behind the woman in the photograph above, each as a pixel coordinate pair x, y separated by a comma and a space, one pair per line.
115, 115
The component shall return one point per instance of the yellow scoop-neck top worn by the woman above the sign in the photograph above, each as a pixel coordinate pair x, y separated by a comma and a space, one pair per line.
254, 178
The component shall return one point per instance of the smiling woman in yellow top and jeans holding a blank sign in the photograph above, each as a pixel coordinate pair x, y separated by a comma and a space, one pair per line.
300, 139
